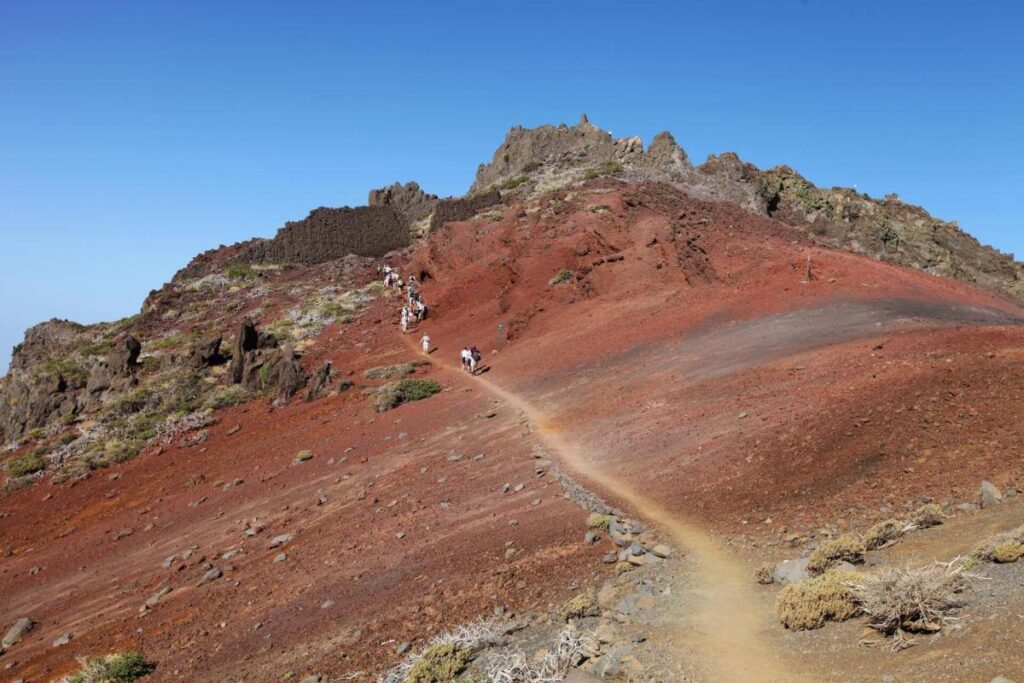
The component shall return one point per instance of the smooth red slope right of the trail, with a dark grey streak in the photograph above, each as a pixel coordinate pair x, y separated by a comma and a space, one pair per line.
692, 357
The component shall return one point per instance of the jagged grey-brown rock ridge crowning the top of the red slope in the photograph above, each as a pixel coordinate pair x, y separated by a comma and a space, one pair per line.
887, 230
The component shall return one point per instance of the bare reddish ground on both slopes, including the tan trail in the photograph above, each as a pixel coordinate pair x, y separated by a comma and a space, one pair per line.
690, 371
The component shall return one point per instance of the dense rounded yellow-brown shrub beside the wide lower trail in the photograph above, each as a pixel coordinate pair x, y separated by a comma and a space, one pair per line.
812, 604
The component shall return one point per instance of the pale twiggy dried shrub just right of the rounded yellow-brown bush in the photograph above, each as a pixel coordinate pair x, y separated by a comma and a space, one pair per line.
915, 601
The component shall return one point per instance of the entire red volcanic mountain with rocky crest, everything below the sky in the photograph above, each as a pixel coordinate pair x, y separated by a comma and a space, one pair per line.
609, 416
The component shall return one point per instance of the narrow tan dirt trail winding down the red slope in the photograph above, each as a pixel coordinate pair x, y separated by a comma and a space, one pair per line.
729, 629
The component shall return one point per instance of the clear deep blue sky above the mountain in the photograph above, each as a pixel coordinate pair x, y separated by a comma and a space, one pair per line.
137, 135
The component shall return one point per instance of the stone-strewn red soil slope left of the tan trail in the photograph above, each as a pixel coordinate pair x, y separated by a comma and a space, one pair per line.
392, 541
